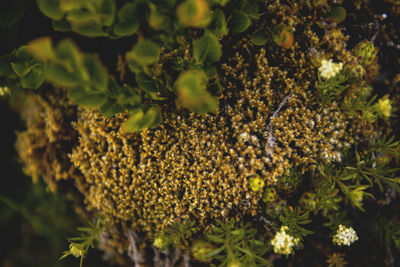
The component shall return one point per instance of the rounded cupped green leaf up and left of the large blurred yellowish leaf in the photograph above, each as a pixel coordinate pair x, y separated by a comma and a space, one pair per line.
144, 53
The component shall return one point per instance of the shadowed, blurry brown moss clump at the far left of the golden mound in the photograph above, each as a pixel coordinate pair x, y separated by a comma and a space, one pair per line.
43, 147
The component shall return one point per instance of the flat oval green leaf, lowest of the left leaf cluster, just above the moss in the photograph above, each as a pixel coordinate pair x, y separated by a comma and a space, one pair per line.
87, 98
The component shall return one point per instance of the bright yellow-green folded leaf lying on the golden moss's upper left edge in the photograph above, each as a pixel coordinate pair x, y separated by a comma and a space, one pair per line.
140, 120
